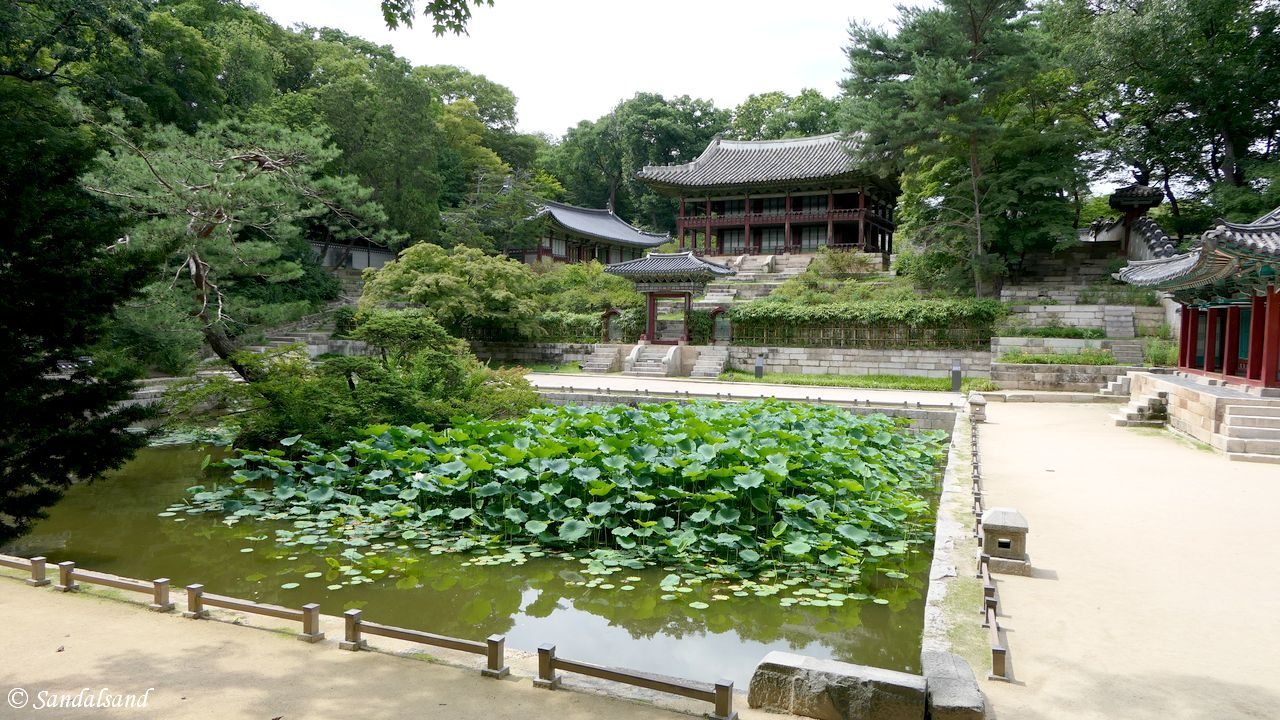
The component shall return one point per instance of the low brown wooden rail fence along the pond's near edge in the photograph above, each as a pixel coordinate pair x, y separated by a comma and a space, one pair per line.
720, 695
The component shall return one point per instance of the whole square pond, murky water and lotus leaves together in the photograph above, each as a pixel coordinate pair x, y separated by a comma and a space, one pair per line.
743, 528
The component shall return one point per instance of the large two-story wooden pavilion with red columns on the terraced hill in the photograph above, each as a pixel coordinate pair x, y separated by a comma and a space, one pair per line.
778, 197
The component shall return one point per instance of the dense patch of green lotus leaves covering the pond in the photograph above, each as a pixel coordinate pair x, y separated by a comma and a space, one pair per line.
737, 489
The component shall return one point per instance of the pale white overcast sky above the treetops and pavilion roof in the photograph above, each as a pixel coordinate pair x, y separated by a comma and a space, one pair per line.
572, 61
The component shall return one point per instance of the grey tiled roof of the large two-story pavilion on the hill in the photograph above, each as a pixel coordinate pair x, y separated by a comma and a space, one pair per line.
739, 162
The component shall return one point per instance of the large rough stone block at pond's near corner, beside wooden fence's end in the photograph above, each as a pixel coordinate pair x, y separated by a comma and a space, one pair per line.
829, 690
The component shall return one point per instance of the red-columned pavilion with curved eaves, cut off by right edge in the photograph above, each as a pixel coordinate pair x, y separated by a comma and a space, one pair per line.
1231, 304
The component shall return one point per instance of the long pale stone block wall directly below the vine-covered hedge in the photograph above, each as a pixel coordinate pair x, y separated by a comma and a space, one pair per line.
860, 362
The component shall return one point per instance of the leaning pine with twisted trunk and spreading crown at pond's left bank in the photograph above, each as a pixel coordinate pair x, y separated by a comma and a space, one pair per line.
228, 207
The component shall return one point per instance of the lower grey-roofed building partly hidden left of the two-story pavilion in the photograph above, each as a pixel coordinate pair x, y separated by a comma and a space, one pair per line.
582, 235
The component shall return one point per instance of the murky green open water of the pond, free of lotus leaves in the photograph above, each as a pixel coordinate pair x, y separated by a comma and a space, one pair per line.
113, 526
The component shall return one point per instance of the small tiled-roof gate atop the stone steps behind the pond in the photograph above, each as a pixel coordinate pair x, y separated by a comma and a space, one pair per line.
669, 275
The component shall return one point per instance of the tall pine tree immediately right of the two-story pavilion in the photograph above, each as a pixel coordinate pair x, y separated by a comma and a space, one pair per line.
985, 135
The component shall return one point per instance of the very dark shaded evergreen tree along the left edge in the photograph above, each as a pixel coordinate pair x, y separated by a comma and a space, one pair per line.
63, 270
